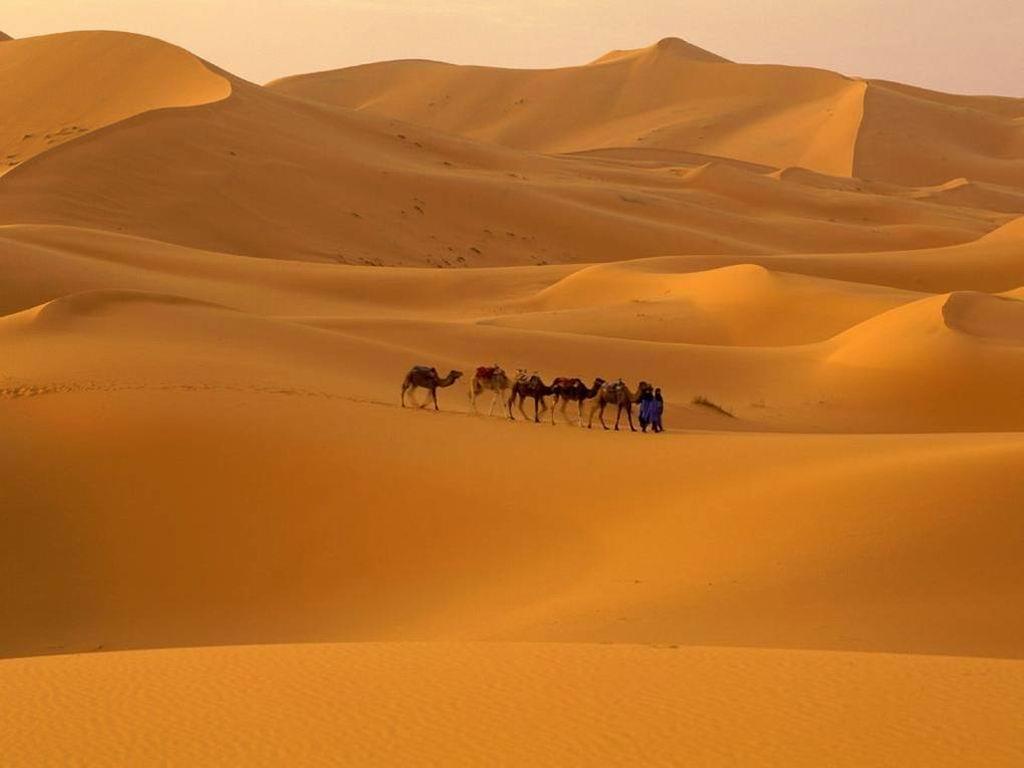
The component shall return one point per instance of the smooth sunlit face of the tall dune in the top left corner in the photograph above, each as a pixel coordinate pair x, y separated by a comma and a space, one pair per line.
60, 88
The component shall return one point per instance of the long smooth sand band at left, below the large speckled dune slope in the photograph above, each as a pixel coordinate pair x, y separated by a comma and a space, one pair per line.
44, 263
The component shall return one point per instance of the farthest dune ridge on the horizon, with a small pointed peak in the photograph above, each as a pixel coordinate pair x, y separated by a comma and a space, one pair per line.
675, 97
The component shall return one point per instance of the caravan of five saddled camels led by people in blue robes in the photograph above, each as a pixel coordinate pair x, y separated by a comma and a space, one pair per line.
564, 391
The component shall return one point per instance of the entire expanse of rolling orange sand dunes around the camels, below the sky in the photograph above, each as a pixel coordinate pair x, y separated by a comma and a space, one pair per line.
224, 542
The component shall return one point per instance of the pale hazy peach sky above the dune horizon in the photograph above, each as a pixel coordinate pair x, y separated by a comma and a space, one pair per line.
958, 46
